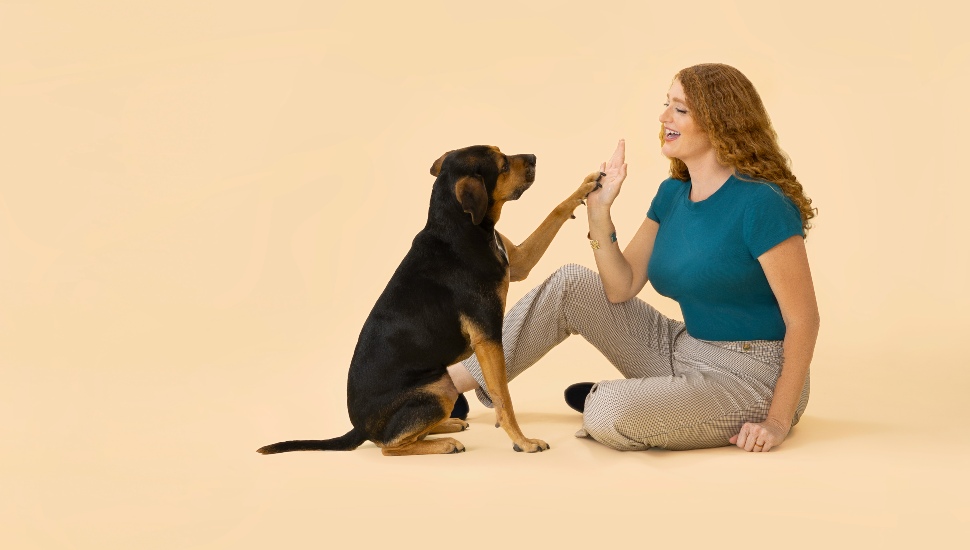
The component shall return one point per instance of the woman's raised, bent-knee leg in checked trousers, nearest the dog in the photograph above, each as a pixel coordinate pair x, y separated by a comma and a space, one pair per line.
634, 336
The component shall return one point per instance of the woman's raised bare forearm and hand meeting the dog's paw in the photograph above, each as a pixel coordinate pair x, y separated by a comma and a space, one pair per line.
624, 273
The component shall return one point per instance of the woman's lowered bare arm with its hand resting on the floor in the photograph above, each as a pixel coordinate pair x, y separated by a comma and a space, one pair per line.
786, 267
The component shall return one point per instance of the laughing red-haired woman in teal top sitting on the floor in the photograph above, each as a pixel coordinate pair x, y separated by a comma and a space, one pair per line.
724, 236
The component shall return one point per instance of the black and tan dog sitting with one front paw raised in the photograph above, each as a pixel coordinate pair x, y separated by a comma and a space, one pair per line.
445, 301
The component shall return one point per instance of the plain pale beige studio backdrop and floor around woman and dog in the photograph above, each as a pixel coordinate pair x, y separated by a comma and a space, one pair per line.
200, 201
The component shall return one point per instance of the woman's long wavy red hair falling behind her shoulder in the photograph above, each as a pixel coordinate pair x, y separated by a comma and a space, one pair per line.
728, 108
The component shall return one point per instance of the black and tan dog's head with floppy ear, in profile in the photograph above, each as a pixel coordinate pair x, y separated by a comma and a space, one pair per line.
483, 178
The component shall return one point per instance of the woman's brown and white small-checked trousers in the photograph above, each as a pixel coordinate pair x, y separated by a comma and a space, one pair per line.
678, 392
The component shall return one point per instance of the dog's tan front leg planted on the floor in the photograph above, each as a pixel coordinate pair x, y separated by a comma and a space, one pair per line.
492, 360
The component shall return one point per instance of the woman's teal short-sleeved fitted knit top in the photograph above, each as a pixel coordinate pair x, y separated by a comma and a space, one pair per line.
706, 256
